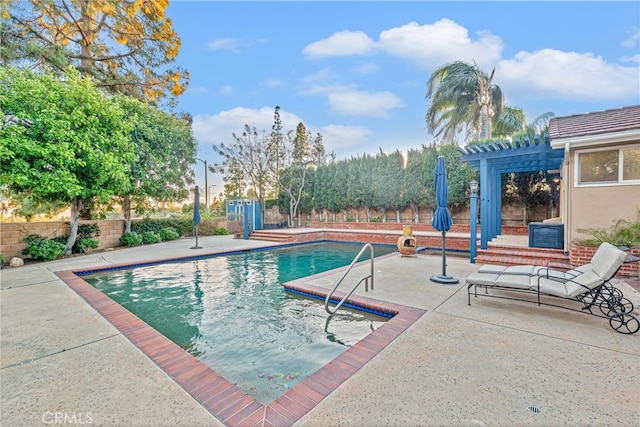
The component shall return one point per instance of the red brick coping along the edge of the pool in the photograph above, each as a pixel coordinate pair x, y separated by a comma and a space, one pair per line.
228, 403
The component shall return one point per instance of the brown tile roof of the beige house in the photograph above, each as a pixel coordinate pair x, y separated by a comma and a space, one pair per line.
608, 121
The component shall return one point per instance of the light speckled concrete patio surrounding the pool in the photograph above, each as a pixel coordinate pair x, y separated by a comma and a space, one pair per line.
494, 363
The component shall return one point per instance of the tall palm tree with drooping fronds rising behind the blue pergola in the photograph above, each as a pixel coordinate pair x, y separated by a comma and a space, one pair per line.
463, 99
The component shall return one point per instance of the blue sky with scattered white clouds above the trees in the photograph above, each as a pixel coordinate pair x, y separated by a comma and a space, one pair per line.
356, 72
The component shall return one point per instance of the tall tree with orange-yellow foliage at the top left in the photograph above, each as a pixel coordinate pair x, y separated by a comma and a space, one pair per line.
126, 46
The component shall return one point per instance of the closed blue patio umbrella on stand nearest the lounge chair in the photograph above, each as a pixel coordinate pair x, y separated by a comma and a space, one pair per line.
442, 218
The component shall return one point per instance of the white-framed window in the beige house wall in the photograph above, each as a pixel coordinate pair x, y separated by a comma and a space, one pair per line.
617, 166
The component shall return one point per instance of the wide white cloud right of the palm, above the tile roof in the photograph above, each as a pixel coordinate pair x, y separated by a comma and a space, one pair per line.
554, 74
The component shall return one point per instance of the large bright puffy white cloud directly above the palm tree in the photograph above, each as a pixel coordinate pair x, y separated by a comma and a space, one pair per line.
444, 41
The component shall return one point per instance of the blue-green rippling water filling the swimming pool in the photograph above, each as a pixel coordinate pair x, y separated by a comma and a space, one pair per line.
232, 313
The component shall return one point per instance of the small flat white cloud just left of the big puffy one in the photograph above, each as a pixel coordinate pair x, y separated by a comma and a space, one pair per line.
343, 43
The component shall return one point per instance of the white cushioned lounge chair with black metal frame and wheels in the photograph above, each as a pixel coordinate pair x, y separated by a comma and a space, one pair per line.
588, 285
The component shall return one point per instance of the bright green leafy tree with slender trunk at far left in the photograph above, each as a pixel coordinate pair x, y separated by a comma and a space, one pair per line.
71, 143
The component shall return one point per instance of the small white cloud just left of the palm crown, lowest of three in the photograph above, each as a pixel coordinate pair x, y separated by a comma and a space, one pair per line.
360, 103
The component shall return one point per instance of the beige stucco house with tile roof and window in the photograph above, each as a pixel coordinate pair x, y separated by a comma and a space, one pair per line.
600, 169
